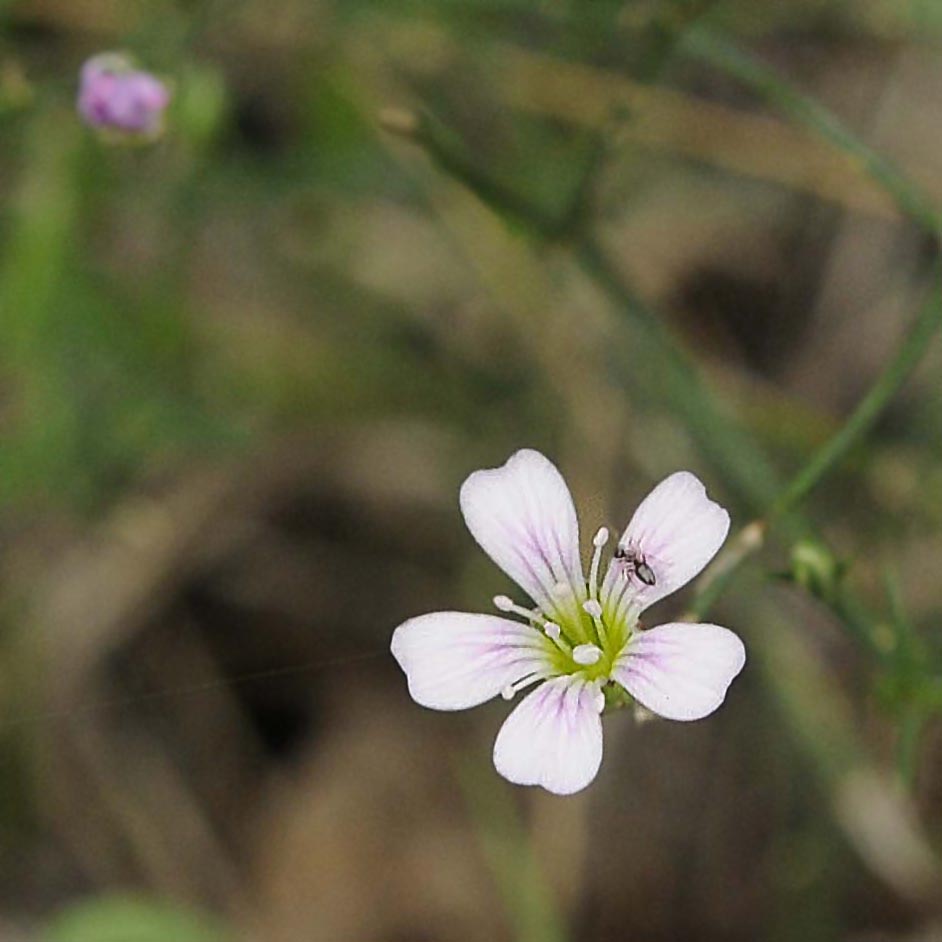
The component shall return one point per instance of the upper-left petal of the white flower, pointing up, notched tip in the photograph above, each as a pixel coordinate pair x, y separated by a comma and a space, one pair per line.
523, 517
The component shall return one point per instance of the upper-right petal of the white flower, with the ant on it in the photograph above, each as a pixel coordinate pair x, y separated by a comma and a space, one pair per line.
676, 530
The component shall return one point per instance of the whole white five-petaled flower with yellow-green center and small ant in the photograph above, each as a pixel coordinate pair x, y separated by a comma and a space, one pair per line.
582, 643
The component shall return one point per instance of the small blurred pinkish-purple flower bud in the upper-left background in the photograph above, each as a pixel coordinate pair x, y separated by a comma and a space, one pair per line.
114, 96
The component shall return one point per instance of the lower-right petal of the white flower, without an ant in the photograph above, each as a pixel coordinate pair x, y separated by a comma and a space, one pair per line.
680, 671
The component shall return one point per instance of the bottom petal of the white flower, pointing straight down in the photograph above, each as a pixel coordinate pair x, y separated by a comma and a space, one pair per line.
554, 737
